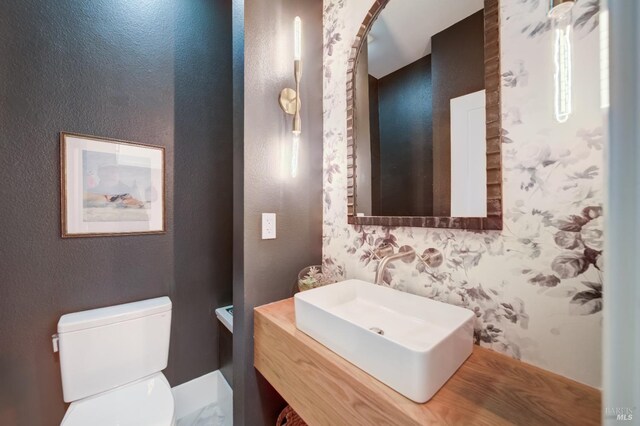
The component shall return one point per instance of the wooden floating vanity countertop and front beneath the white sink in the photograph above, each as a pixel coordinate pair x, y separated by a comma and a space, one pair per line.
489, 388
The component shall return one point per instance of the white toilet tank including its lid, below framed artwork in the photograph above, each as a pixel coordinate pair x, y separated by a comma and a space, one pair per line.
104, 348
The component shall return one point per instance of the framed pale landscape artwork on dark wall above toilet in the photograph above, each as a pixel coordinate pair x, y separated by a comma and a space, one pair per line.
110, 187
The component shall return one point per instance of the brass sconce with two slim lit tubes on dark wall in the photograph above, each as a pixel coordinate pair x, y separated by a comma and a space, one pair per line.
290, 98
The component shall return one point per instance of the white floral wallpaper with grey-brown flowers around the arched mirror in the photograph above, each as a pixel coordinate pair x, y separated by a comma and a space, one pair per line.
536, 286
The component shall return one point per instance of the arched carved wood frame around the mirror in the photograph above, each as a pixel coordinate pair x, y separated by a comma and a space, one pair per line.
493, 220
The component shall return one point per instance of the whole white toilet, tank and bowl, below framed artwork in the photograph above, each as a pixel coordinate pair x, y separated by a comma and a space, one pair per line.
111, 361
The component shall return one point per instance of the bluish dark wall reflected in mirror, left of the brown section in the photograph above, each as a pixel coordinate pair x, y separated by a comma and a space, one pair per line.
406, 141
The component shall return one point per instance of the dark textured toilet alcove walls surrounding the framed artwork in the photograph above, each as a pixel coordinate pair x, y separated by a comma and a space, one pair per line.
153, 72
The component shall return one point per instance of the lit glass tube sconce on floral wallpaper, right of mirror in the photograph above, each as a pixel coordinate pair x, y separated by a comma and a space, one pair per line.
560, 15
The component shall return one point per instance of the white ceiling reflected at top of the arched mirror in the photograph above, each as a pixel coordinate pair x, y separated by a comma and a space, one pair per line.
402, 33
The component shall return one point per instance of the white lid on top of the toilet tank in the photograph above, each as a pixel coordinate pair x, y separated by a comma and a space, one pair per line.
112, 314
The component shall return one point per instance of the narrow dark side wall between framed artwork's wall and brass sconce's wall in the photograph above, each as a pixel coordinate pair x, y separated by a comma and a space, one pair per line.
203, 174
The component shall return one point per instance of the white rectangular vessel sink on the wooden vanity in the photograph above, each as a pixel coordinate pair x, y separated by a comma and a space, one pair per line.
410, 343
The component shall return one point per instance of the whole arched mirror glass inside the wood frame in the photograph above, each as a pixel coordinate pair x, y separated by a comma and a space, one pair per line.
420, 111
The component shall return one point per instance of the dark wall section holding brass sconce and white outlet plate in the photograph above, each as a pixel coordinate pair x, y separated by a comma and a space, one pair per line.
271, 266
